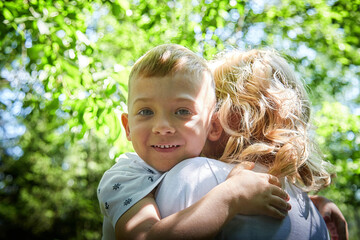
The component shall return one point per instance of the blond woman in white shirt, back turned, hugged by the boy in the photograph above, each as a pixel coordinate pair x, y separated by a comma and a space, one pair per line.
264, 112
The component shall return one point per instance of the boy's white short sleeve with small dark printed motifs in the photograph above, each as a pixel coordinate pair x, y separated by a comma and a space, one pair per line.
124, 184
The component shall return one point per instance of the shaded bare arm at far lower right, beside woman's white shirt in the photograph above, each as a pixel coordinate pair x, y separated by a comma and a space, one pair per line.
333, 217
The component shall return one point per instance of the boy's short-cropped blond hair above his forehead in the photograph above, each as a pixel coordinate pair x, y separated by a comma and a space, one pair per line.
168, 59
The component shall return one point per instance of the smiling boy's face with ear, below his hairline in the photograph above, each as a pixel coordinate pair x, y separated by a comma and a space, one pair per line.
169, 118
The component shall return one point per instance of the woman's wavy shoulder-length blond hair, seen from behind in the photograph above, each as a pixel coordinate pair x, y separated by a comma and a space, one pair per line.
266, 111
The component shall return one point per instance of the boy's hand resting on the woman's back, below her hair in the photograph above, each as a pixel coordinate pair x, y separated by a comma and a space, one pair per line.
256, 193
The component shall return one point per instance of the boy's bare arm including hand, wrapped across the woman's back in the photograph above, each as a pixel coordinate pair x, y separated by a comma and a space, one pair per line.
245, 192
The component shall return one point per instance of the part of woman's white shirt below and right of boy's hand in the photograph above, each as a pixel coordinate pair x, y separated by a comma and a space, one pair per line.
303, 222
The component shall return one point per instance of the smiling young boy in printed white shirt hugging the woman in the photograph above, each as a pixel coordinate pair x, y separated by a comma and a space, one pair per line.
171, 101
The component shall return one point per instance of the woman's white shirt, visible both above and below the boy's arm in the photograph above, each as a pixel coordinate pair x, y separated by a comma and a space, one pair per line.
191, 179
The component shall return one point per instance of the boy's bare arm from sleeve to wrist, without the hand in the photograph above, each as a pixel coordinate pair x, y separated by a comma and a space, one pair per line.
142, 221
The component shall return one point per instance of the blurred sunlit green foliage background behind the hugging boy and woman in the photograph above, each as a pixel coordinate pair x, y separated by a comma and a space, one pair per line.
64, 67
